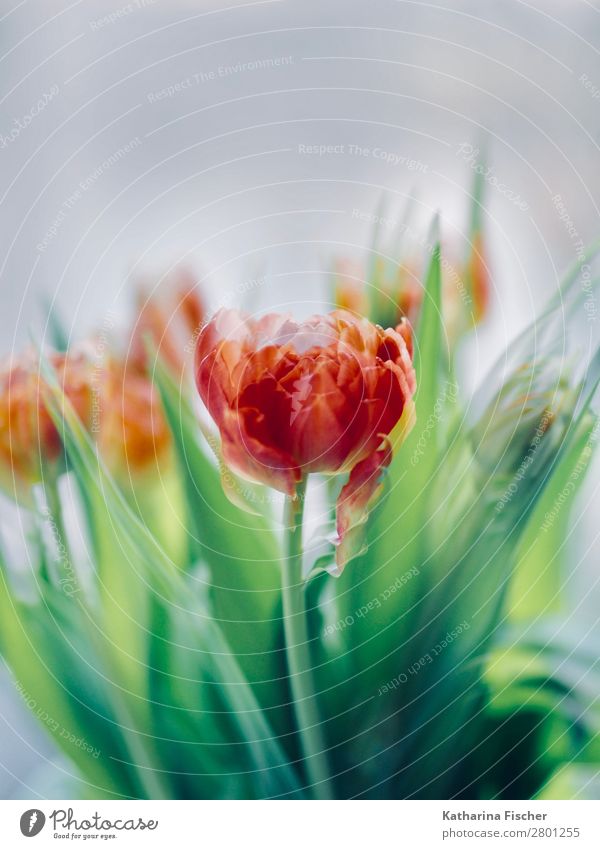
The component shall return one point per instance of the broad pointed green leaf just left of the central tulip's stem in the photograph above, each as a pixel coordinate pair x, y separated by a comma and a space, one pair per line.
242, 553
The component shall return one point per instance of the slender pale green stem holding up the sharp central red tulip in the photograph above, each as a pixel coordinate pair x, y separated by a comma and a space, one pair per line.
297, 650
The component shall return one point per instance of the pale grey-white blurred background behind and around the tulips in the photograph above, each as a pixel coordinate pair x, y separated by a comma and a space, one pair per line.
253, 141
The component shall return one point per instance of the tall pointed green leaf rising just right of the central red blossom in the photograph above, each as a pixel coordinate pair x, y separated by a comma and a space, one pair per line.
390, 579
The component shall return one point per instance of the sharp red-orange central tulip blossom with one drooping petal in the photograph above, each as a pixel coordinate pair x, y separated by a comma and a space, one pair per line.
324, 395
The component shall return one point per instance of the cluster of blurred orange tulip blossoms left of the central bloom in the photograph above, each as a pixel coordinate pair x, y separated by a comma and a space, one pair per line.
114, 398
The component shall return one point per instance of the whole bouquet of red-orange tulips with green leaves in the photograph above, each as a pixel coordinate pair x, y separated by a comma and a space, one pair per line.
270, 558
